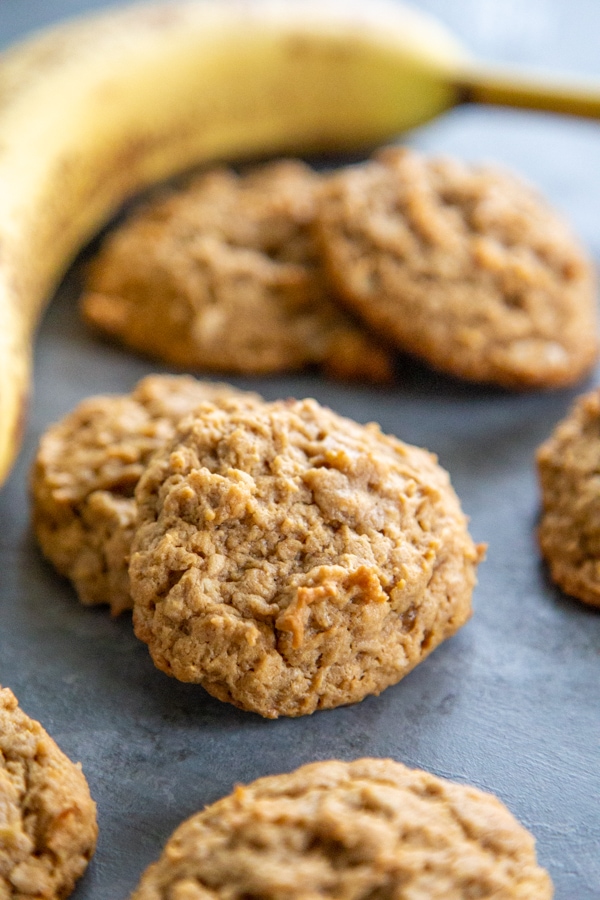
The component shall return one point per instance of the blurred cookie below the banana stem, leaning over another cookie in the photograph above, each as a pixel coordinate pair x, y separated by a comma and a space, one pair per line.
464, 266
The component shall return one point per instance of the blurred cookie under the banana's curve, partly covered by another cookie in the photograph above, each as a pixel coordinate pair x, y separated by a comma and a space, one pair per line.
223, 276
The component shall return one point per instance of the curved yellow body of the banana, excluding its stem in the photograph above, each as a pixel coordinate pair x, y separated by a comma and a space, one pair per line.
93, 110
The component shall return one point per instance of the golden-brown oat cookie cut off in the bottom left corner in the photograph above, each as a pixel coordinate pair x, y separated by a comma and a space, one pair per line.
47, 818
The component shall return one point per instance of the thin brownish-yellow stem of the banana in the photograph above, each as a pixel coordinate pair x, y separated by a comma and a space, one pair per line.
528, 90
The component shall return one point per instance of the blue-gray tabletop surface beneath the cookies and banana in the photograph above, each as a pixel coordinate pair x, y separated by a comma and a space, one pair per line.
510, 704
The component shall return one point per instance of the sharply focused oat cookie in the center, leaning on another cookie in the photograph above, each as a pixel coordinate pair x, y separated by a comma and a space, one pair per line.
289, 559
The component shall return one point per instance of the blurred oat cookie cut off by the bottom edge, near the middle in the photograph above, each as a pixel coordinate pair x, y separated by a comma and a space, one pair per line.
369, 828
